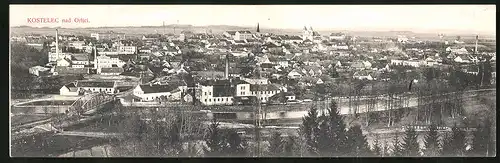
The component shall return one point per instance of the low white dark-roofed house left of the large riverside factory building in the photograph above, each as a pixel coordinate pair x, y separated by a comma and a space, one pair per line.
150, 92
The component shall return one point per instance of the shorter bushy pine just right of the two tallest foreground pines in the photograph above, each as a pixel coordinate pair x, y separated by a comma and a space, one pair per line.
356, 143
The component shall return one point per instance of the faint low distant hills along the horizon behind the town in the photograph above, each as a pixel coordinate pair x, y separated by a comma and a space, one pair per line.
219, 29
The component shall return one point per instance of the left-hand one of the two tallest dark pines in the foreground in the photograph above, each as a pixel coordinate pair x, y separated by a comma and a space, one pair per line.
309, 128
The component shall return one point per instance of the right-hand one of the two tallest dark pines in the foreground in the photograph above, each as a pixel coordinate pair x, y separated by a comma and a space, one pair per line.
337, 131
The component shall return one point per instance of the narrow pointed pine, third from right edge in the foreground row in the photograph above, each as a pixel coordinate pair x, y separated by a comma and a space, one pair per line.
432, 145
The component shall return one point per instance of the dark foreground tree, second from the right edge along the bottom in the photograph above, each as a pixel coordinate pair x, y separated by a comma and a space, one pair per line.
454, 145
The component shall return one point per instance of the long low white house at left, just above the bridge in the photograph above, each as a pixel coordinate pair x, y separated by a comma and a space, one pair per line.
96, 86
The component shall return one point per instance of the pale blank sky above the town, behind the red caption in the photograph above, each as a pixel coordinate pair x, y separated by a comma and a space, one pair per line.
476, 18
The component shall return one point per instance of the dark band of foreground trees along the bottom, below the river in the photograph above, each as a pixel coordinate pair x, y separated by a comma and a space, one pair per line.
321, 134
